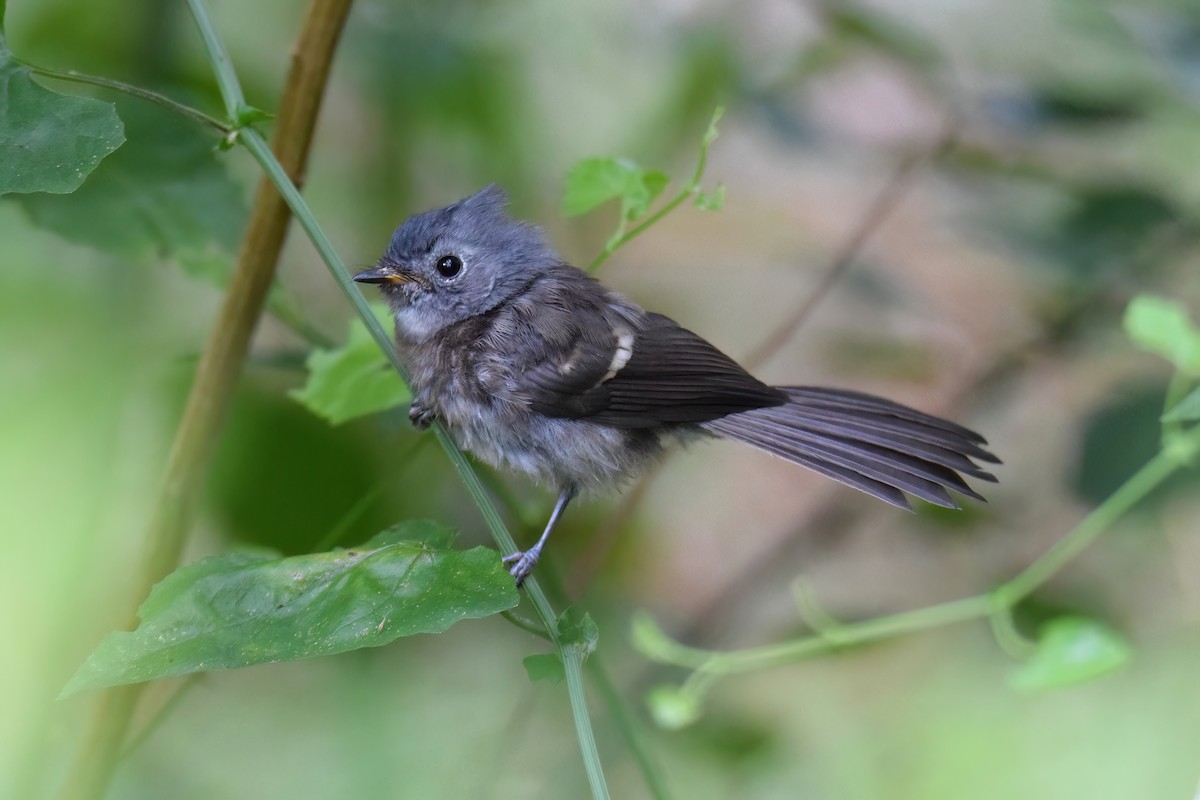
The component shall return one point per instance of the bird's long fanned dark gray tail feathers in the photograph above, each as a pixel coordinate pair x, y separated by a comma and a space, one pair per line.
869, 443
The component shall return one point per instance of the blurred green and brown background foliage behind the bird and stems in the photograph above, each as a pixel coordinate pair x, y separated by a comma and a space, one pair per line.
993, 294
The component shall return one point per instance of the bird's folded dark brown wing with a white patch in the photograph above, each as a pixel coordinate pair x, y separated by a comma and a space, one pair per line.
639, 375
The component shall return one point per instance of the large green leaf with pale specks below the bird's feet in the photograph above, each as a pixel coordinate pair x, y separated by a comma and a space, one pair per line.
250, 609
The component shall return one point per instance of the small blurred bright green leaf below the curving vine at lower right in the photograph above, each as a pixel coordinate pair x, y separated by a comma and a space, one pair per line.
1072, 651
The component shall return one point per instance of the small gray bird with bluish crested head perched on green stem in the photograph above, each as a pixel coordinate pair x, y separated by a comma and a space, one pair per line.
536, 368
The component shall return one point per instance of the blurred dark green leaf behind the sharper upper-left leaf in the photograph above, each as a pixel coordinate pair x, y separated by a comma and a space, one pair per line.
164, 194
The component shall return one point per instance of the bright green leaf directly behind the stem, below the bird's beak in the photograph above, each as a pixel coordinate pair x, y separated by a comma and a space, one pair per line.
352, 381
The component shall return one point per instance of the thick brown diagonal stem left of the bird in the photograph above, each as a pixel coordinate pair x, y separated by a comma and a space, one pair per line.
217, 377
